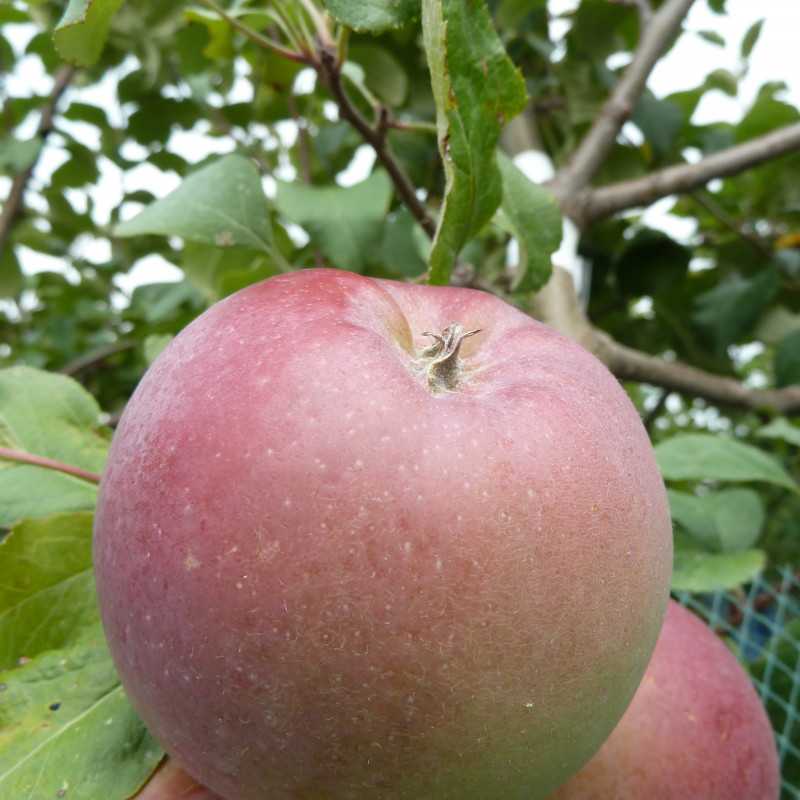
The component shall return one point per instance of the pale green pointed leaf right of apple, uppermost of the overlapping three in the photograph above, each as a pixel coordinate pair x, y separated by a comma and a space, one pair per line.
702, 456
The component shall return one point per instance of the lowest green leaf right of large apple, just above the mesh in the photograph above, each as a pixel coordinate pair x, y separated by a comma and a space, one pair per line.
697, 570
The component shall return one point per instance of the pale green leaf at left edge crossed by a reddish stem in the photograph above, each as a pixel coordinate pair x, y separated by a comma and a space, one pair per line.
53, 416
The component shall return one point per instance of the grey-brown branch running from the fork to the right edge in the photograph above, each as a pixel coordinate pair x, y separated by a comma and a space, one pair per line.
607, 200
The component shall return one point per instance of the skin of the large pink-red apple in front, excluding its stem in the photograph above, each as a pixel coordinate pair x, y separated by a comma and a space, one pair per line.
322, 580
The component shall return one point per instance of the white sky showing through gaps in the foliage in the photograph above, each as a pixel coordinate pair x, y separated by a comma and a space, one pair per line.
774, 59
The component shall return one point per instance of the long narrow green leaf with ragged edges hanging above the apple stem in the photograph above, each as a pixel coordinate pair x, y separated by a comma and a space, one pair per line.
477, 89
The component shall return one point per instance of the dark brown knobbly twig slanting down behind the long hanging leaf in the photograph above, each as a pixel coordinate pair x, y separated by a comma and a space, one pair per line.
329, 71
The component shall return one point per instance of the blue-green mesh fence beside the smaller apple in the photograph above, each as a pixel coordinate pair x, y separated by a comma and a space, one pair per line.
762, 624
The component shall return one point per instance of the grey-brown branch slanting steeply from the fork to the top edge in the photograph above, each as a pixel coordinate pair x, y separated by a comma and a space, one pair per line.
597, 143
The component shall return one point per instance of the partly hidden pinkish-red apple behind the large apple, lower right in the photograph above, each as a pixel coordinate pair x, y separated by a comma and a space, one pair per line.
695, 728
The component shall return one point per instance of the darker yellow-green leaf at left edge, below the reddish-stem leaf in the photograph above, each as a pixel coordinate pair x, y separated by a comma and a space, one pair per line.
46, 565
